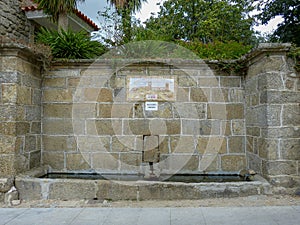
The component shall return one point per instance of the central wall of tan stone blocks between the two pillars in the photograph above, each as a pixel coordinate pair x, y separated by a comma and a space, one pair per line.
88, 122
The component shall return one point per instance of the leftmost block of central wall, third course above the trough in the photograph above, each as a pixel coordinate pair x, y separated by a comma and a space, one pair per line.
57, 127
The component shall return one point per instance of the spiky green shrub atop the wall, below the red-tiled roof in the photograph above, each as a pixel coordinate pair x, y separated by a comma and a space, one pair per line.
70, 45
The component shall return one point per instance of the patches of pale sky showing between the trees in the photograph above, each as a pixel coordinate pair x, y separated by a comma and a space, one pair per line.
91, 8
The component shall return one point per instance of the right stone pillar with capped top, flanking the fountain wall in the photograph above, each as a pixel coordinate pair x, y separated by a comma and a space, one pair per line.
272, 94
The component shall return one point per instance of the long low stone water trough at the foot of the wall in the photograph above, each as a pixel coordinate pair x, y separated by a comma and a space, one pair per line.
34, 185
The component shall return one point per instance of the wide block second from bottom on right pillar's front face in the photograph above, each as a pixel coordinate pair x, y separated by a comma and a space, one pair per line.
279, 167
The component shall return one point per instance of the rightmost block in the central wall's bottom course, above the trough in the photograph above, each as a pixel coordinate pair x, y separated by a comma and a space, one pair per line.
233, 163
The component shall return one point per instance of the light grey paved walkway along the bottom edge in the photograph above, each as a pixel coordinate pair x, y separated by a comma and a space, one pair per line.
279, 215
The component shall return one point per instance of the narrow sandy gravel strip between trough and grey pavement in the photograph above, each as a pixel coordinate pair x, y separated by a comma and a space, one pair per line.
257, 200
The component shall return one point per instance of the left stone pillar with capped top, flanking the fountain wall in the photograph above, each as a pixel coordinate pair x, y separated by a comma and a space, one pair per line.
20, 110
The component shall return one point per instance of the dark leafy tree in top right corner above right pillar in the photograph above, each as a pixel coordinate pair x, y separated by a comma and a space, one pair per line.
289, 29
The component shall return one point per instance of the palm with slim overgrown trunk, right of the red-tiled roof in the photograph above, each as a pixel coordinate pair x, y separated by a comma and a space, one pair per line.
125, 8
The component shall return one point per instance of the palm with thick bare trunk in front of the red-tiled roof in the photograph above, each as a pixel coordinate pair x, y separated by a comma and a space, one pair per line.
58, 9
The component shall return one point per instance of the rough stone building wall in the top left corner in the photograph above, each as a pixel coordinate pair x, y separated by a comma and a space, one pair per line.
13, 22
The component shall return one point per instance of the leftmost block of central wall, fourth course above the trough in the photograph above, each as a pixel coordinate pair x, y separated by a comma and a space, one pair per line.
57, 110
